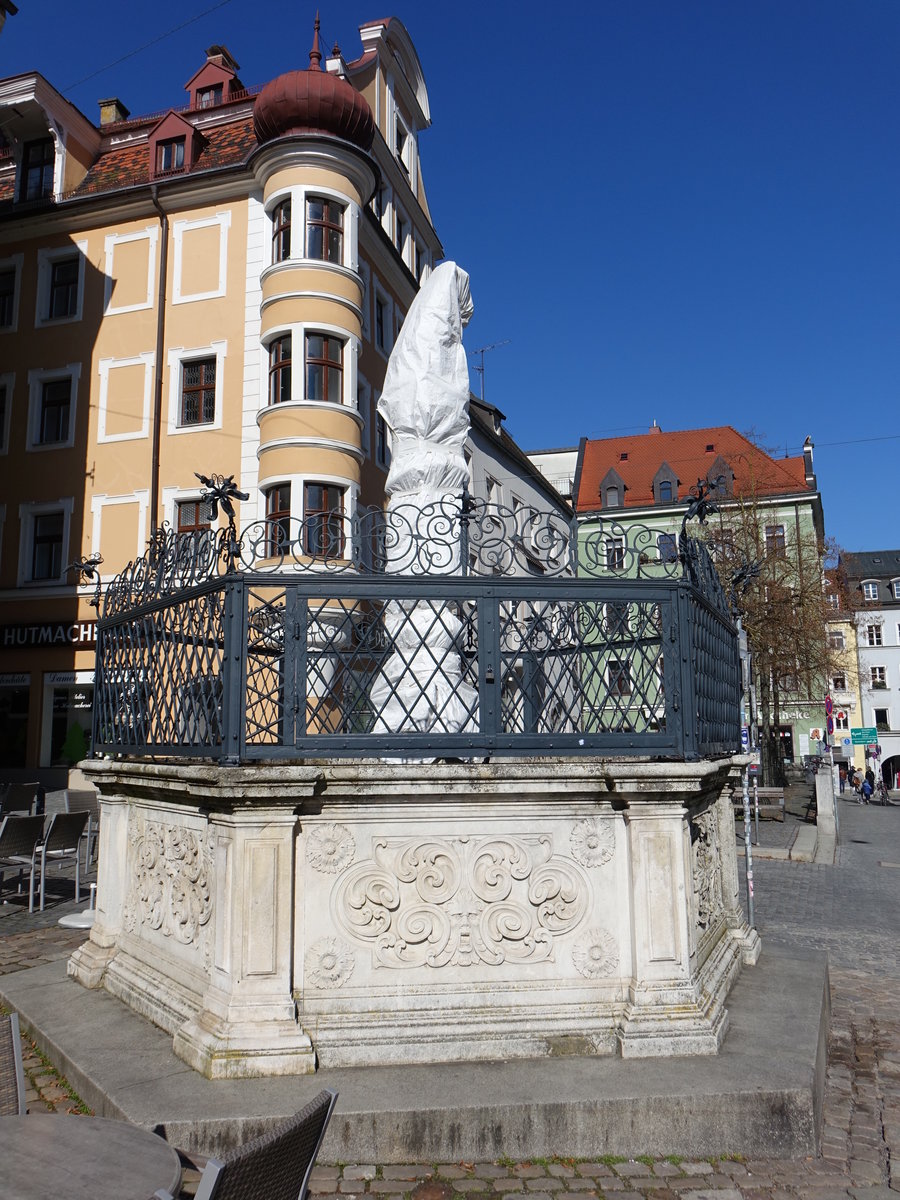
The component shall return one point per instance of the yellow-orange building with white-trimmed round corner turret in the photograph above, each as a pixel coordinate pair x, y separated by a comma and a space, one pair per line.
211, 290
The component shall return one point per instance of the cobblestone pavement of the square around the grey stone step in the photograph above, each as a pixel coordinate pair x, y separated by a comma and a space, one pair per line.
851, 910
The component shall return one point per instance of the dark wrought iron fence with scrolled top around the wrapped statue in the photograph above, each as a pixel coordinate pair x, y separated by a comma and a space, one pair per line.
345, 639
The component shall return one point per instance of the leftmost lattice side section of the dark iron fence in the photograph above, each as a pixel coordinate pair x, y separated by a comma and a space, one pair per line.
160, 679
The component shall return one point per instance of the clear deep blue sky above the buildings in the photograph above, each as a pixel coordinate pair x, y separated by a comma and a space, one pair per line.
675, 211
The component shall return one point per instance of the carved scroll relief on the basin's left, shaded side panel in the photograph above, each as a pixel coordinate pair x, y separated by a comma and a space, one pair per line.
171, 887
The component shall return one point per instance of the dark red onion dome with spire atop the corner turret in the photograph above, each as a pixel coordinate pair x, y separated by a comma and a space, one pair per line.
313, 101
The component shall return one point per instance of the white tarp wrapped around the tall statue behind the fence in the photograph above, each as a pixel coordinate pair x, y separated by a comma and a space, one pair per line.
425, 406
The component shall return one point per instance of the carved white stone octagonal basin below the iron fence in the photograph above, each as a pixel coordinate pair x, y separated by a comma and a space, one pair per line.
355, 914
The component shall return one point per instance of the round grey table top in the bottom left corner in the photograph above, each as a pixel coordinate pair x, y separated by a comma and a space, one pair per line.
83, 1159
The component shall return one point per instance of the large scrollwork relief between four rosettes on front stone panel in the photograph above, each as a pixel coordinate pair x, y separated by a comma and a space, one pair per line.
461, 901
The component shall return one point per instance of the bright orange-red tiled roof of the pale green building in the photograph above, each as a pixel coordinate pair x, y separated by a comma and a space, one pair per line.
638, 460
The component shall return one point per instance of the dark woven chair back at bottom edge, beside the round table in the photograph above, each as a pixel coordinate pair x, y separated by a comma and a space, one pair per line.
274, 1167
